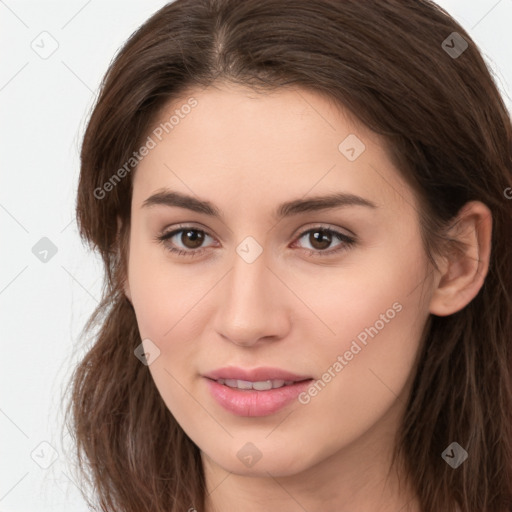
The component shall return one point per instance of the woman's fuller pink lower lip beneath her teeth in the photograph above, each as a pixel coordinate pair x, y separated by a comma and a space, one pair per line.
255, 403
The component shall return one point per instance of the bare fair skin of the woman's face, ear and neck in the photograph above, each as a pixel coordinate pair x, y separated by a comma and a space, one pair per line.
247, 153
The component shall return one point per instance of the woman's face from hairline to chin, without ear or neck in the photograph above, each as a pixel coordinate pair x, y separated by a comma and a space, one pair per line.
264, 292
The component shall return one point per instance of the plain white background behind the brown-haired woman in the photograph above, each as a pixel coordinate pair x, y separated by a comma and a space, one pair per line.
44, 104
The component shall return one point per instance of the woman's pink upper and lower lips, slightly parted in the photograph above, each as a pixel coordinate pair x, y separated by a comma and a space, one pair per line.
252, 402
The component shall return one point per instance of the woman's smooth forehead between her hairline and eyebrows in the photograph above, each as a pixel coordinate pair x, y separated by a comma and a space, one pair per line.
234, 144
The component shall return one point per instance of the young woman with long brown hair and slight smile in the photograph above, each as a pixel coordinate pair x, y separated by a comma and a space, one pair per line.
303, 213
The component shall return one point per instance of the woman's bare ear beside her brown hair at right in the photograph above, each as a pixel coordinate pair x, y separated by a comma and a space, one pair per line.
462, 274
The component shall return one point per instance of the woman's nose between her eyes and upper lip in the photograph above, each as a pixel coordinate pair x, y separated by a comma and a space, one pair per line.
253, 304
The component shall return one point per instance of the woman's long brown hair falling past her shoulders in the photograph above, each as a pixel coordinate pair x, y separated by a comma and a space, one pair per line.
449, 134
